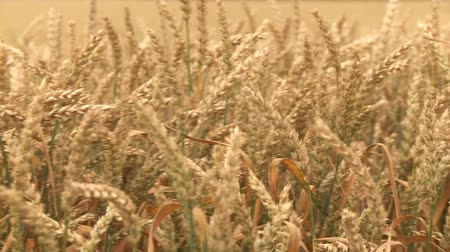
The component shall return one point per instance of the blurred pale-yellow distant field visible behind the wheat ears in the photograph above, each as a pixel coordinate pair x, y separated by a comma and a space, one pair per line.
15, 15
